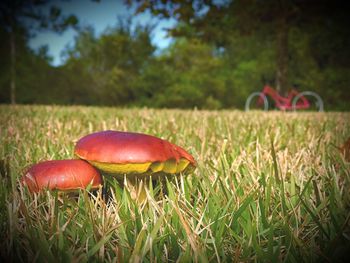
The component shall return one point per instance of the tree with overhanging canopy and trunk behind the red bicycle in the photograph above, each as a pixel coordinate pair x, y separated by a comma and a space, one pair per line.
214, 22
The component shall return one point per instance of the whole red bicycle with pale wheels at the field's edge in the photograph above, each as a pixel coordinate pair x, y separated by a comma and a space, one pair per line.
306, 100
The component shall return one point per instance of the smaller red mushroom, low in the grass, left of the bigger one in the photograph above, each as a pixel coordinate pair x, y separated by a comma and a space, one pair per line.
62, 175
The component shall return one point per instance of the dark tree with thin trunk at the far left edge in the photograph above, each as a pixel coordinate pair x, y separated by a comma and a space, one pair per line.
20, 15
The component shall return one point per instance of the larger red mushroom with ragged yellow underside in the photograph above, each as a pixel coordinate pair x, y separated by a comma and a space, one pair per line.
134, 155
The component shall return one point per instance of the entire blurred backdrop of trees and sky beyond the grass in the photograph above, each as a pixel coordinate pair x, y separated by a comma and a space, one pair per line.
202, 54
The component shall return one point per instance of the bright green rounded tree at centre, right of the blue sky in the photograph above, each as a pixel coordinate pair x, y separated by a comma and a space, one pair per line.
186, 75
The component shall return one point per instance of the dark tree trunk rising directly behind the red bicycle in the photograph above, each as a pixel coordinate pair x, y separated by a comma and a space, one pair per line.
282, 56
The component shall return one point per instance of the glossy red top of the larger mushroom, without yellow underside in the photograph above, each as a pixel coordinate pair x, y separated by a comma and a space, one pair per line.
128, 147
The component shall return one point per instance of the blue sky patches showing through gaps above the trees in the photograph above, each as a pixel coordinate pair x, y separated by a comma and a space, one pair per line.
100, 15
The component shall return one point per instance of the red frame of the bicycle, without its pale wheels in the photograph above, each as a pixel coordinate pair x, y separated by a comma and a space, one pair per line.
284, 103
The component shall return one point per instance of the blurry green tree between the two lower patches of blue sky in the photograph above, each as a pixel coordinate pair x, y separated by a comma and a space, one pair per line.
114, 61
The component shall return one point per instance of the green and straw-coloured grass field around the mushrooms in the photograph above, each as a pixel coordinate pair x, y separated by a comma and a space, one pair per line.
269, 187
